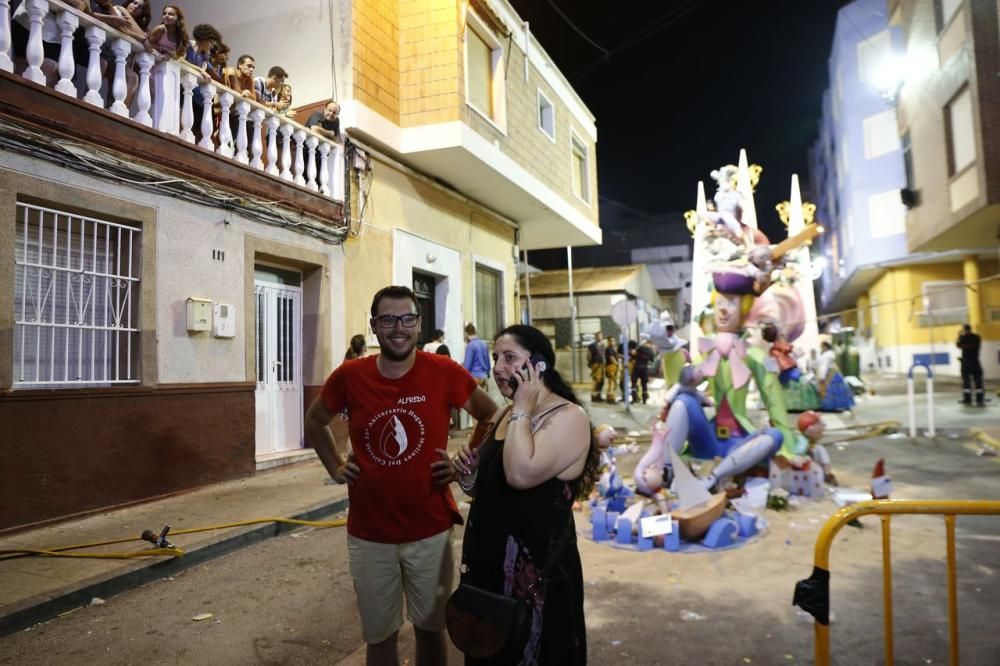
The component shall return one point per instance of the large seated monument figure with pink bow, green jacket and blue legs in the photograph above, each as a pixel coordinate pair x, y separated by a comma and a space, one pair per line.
729, 365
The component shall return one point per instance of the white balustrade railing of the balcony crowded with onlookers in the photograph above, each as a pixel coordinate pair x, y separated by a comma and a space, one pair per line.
164, 99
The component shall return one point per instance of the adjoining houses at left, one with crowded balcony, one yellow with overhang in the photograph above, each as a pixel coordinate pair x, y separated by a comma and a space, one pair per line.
178, 286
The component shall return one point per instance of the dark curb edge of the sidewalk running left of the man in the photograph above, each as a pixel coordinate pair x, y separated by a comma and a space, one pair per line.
26, 614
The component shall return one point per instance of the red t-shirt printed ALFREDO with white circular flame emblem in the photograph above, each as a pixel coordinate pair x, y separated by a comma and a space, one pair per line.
396, 425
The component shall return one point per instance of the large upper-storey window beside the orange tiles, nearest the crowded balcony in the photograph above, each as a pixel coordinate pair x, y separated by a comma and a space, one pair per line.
484, 75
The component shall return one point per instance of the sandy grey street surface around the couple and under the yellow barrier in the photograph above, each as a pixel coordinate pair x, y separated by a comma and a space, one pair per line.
289, 600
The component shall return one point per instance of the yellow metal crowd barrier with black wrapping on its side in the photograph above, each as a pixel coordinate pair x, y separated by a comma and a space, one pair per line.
813, 593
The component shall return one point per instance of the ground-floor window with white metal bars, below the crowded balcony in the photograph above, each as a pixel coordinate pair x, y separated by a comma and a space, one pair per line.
76, 287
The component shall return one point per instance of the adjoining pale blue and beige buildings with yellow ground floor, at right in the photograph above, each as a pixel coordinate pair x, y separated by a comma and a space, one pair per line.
900, 175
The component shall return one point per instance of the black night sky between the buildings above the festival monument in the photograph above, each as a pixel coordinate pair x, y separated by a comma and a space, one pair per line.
719, 76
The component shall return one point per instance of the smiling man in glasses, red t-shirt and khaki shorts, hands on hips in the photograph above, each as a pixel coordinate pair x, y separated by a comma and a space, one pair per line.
401, 508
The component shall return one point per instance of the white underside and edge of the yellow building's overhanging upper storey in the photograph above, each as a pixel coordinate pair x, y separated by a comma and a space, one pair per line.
454, 153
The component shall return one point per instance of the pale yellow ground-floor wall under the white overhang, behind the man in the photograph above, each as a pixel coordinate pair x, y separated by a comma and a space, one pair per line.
400, 201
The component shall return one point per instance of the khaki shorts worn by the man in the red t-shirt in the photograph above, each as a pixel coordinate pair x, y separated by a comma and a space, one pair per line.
382, 572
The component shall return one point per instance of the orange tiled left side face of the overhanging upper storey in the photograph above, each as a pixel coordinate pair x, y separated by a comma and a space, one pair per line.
375, 43
